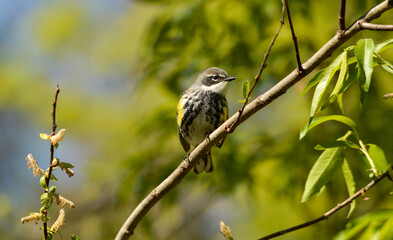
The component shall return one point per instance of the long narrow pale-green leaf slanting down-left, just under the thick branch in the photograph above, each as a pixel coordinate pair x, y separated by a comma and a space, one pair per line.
326, 77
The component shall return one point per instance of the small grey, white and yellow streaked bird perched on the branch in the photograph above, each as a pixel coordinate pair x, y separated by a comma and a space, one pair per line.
201, 109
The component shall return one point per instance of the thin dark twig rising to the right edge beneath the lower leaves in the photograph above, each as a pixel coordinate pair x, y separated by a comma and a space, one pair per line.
330, 212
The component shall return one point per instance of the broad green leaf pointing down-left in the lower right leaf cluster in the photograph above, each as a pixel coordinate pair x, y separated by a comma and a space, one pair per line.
323, 170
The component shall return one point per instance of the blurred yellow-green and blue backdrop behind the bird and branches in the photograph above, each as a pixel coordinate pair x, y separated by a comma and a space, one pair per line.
121, 66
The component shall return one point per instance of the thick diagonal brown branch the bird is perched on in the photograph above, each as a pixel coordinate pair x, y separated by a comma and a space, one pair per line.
257, 104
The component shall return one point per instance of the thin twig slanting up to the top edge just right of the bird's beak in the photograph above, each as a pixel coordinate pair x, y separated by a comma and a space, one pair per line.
261, 68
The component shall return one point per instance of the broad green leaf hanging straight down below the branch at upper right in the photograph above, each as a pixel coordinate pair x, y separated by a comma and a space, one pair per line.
364, 52
